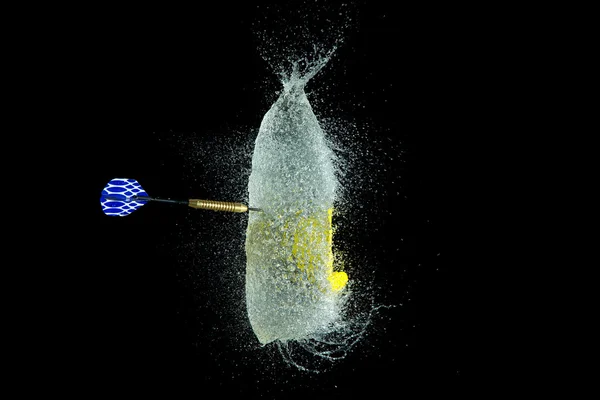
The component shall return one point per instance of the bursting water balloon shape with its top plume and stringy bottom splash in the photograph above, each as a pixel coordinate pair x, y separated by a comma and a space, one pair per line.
296, 292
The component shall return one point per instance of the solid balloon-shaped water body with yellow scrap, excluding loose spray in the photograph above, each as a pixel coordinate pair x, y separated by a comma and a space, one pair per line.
292, 290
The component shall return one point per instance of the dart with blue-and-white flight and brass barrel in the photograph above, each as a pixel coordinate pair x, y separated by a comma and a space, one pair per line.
122, 196
